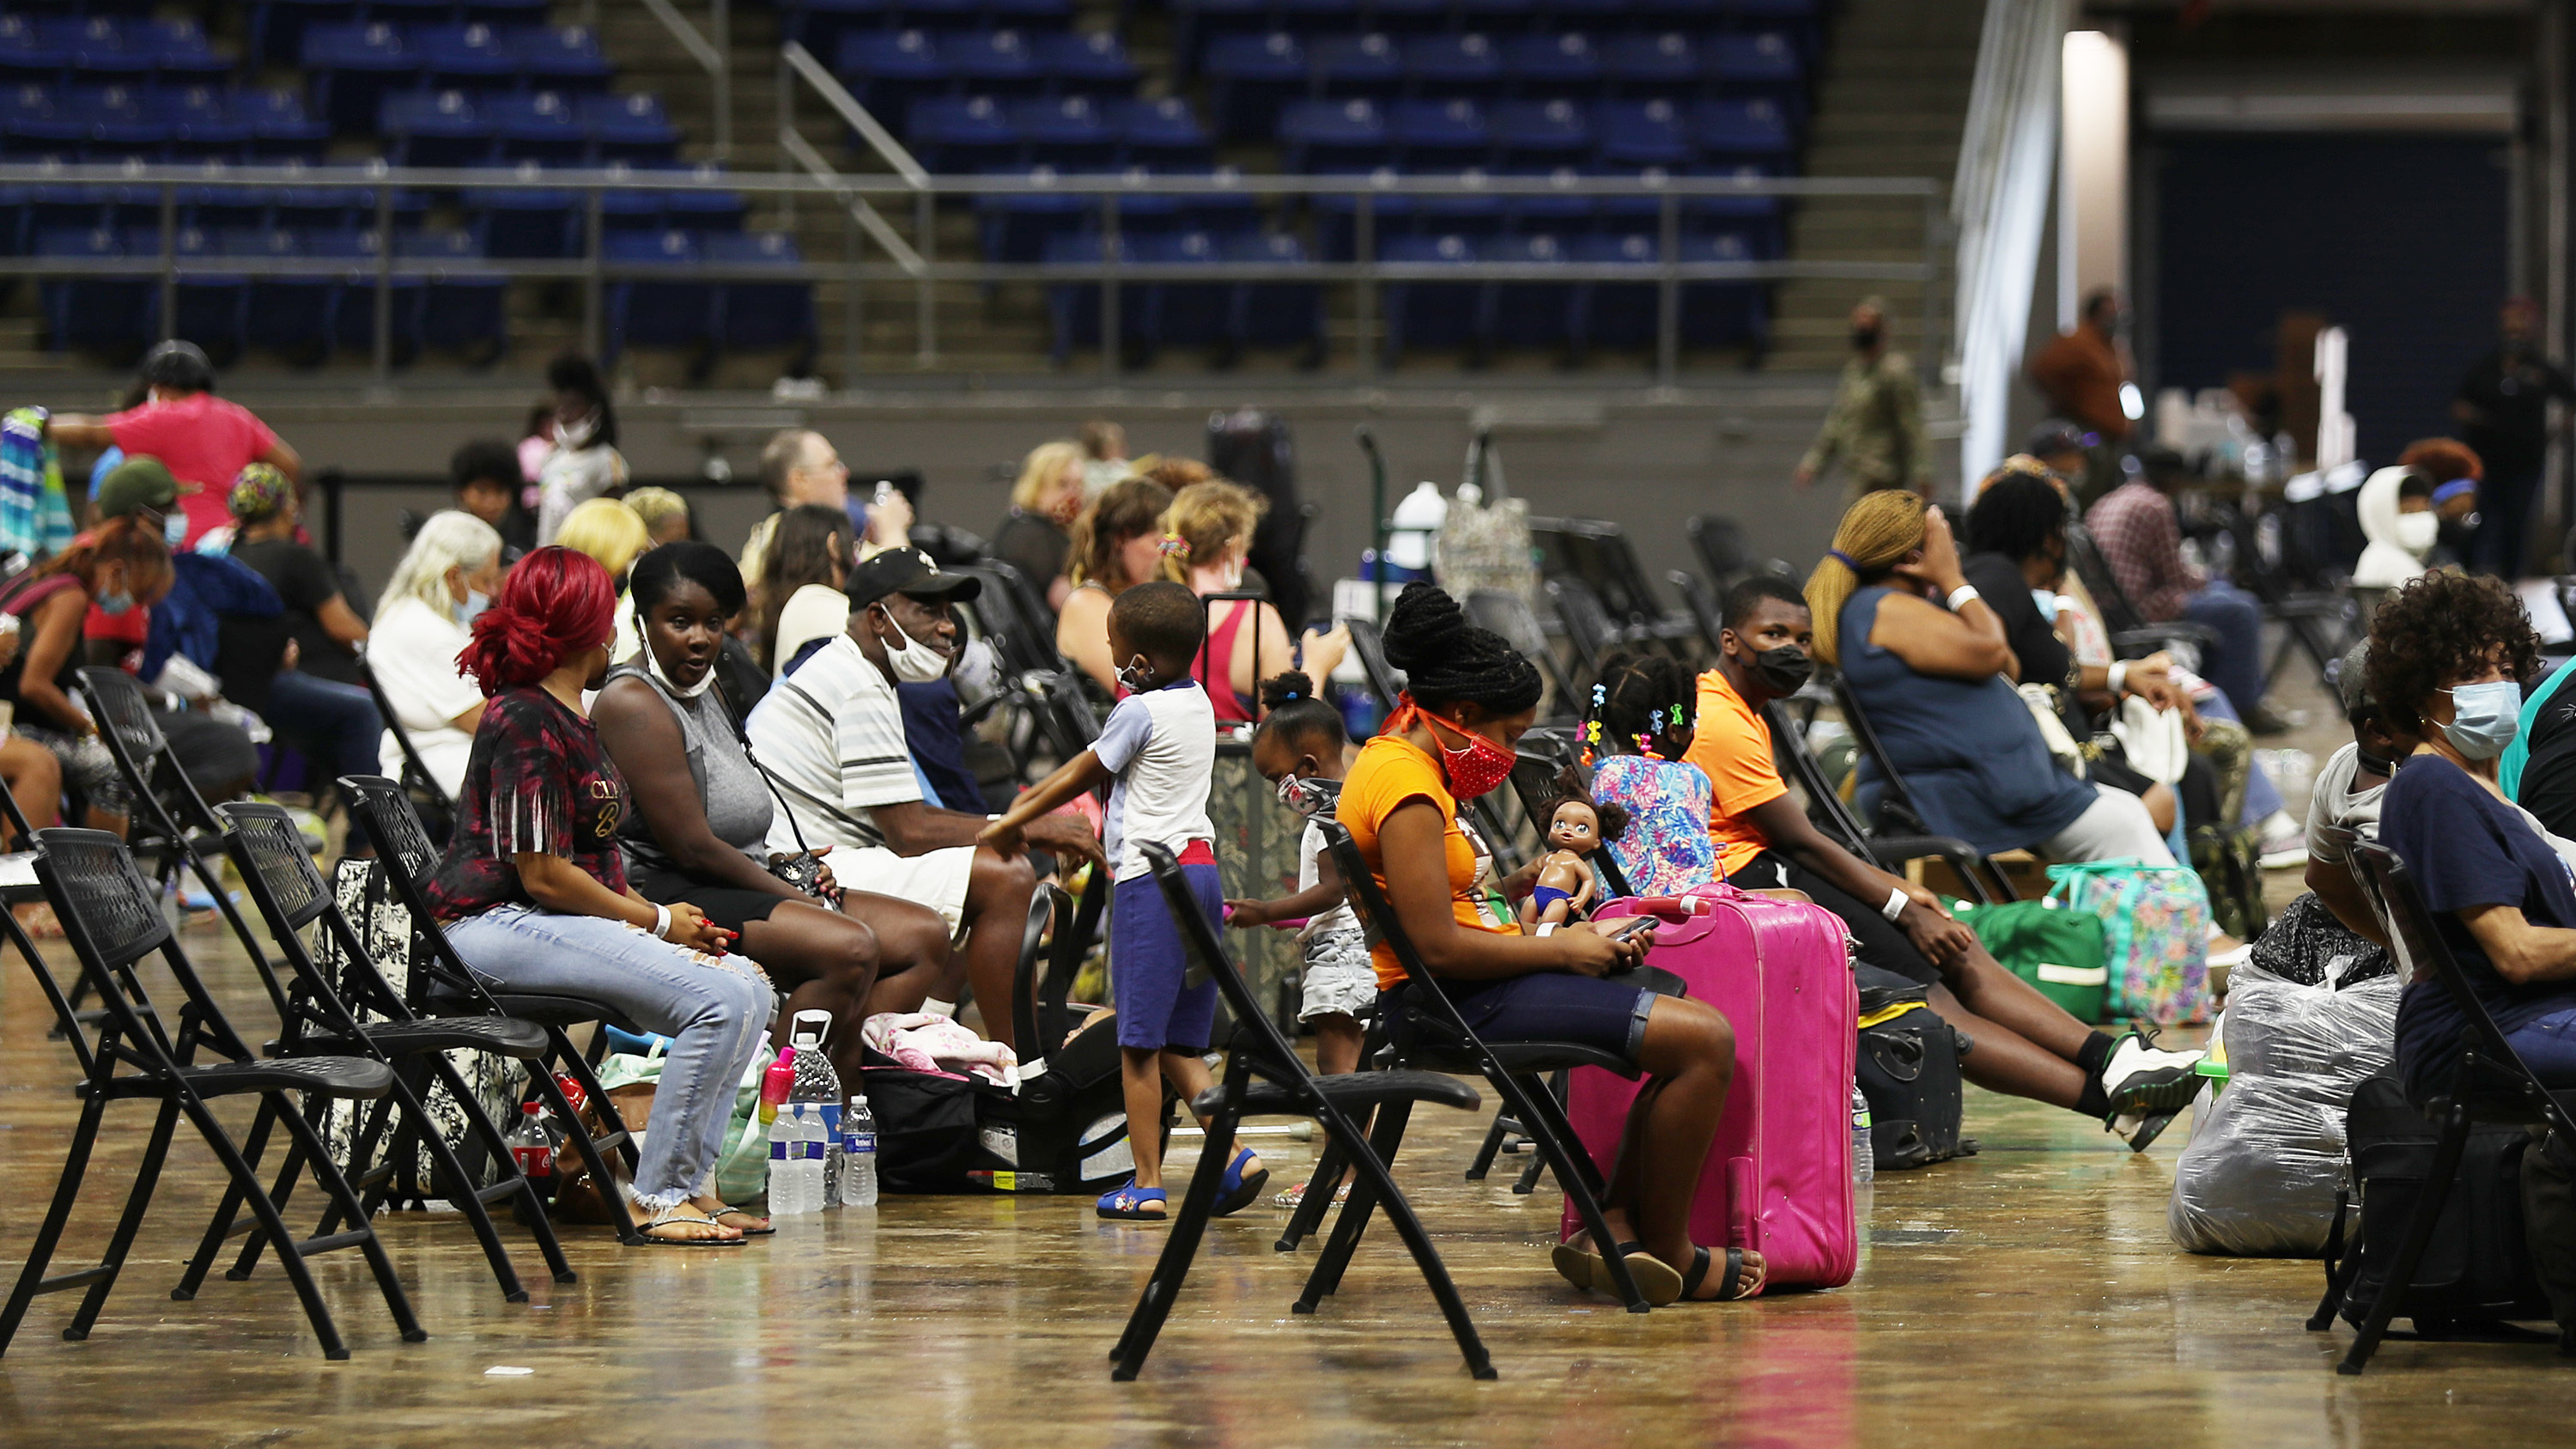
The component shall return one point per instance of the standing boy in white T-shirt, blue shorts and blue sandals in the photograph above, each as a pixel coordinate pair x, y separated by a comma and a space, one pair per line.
1160, 752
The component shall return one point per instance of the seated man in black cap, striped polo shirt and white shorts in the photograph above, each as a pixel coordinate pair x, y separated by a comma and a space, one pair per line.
833, 739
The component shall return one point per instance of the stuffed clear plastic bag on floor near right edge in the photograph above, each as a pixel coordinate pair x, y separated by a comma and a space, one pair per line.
2268, 1154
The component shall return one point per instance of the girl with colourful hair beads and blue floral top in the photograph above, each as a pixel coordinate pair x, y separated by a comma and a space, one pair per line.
1642, 723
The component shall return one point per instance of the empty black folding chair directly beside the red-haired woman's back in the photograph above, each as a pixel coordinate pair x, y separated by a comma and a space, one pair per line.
442, 986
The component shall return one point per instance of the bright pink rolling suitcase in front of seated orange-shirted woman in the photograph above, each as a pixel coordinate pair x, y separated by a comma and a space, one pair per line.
1781, 1169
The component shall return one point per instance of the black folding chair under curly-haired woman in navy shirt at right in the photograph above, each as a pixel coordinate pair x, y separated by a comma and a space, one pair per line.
2492, 1084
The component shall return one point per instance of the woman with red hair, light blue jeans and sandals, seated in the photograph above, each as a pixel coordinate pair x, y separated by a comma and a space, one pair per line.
535, 896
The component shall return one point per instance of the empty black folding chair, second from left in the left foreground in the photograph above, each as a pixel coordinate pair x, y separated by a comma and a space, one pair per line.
292, 896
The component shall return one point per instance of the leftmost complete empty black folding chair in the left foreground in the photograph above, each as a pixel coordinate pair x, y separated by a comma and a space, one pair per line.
112, 919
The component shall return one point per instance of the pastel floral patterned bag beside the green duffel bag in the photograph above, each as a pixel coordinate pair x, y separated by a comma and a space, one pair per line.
2155, 937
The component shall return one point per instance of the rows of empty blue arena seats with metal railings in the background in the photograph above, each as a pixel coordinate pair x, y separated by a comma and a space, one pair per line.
1591, 169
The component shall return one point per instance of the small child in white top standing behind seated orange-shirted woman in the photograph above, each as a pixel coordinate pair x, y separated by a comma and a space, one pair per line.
1300, 752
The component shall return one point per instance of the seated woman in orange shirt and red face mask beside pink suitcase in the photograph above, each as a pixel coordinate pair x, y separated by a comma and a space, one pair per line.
1472, 697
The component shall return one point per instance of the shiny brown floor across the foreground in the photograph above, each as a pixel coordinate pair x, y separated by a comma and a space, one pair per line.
2029, 1290
